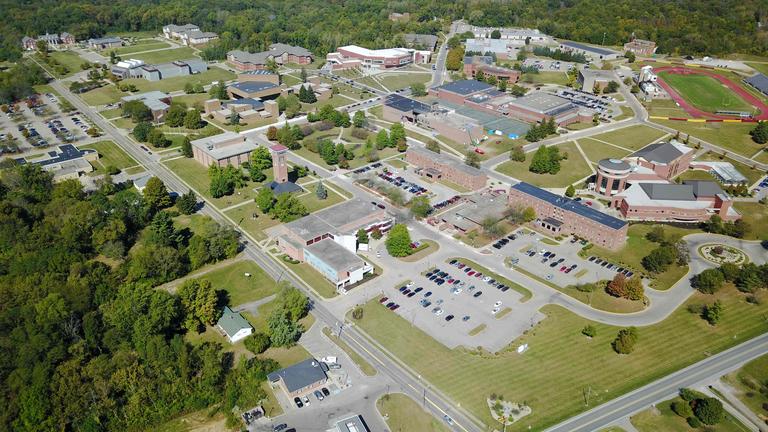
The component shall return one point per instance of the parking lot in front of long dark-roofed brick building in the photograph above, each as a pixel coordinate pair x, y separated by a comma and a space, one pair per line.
559, 264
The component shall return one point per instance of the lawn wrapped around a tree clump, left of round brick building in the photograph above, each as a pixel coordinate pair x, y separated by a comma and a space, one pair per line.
572, 169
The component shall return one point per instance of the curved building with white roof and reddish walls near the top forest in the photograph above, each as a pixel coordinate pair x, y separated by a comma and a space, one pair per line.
353, 56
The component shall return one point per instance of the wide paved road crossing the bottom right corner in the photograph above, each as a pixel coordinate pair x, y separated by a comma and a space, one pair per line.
665, 388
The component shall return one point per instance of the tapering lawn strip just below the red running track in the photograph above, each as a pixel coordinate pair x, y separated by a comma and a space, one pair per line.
733, 137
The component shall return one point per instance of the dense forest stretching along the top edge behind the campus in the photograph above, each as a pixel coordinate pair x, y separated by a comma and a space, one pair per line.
688, 27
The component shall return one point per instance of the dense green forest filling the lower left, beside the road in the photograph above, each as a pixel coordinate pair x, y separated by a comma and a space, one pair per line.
86, 341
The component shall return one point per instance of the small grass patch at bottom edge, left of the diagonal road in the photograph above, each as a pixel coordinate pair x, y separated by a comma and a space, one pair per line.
404, 414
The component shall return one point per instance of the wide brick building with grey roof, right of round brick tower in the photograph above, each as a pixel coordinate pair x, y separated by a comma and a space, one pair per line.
691, 201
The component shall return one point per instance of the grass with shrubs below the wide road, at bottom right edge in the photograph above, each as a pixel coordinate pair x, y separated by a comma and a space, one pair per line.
664, 419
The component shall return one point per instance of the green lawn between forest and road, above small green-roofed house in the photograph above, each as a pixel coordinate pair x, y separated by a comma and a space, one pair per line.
242, 289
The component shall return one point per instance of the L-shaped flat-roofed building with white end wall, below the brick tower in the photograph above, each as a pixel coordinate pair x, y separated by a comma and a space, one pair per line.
327, 240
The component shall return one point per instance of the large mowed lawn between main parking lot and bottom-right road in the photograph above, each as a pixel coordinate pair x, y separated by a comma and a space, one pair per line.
560, 362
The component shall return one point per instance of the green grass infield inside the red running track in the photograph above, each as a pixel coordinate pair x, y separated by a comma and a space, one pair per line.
705, 93
